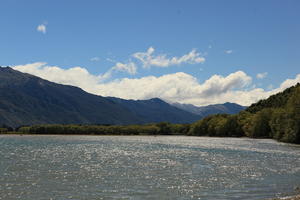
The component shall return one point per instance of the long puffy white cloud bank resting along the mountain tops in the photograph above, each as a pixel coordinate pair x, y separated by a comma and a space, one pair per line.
178, 87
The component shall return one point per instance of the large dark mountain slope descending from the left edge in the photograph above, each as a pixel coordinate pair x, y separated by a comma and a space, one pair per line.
27, 99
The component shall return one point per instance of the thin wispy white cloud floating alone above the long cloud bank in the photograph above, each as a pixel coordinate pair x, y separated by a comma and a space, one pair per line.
148, 59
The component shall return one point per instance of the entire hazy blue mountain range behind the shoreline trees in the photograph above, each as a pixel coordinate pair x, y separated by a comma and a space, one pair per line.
27, 100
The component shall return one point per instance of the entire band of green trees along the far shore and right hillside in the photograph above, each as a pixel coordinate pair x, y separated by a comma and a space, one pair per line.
277, 117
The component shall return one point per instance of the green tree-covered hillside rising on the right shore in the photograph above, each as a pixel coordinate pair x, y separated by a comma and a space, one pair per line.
277, 117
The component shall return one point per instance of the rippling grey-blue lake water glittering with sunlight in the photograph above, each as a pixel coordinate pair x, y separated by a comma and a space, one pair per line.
145, 167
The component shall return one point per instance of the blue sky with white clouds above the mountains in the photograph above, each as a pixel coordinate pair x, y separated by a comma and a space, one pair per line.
196, 52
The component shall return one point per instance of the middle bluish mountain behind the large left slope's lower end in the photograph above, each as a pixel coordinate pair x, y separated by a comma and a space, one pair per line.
156, 110
